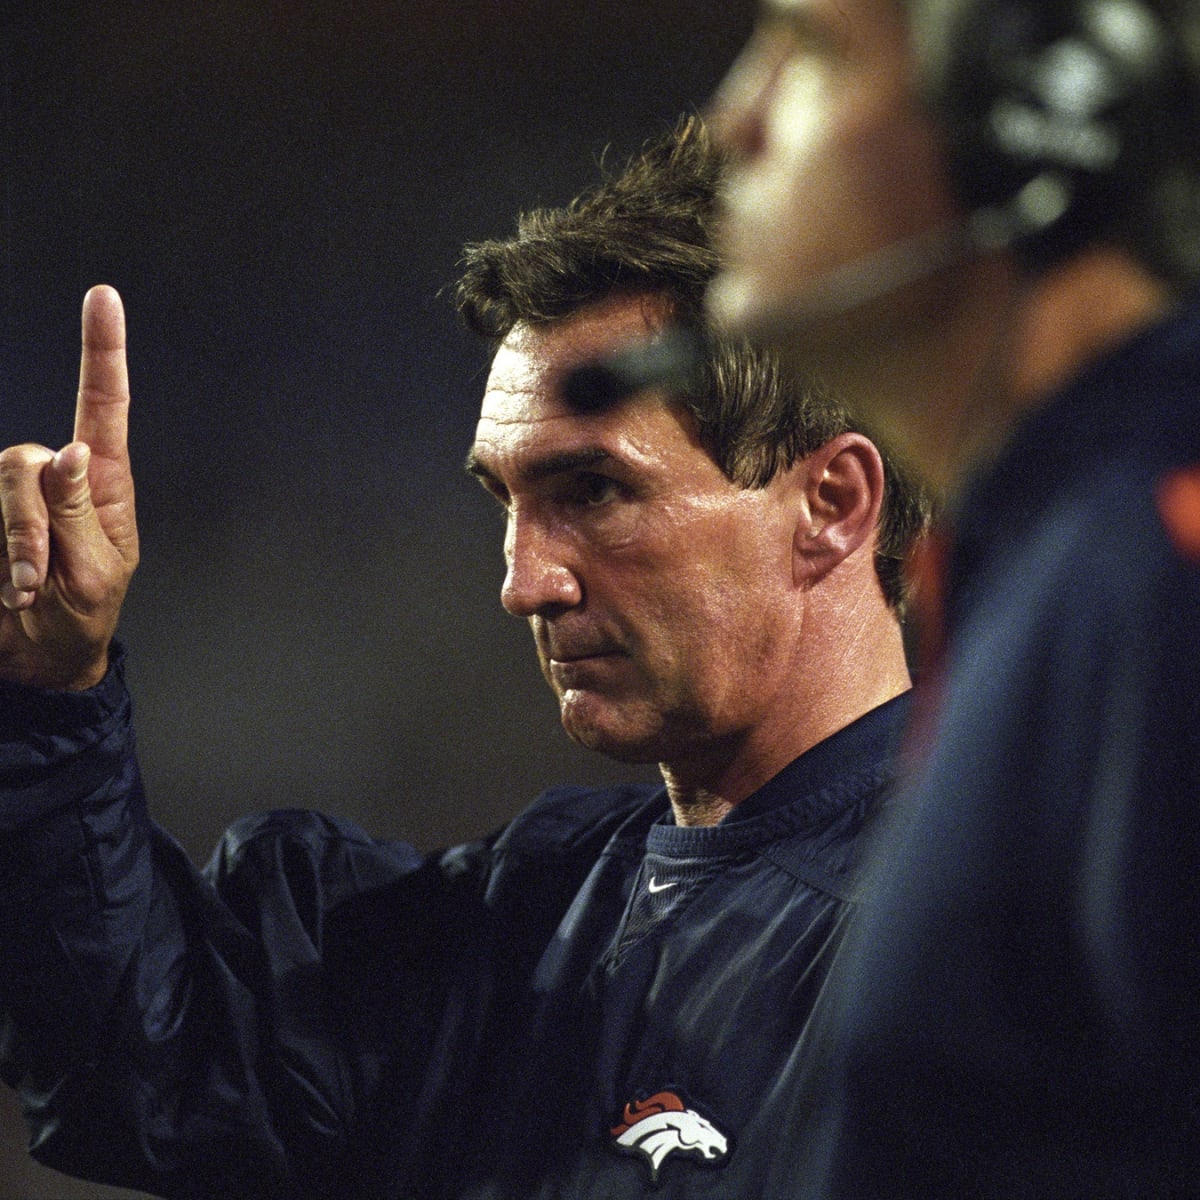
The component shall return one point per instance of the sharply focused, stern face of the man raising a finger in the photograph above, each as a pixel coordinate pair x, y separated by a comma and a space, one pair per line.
659, 593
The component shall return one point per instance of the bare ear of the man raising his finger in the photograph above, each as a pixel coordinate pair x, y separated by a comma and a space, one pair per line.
843, 484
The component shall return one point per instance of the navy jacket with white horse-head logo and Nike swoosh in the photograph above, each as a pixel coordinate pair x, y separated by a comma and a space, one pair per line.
593, 1004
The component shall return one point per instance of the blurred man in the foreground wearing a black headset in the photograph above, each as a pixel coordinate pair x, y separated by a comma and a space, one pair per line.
979, 221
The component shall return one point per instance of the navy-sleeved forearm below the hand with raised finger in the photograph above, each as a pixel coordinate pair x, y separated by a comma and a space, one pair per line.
116, 1005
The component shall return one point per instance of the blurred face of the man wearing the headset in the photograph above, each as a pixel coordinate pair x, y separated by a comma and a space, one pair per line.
833, 158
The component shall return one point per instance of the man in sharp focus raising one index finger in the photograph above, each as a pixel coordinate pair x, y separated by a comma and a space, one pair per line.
609, 995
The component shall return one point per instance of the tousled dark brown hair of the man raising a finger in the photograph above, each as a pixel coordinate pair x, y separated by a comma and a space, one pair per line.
650, 230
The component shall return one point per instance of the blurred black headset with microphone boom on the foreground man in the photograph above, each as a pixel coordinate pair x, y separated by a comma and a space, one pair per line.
1065, 123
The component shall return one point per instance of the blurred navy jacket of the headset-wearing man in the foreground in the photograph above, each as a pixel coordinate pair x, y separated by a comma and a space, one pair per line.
1018, 1012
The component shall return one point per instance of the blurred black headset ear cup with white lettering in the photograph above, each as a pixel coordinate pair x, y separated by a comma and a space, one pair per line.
1064, 89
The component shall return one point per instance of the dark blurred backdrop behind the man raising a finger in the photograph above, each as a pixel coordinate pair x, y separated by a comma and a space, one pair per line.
280, 191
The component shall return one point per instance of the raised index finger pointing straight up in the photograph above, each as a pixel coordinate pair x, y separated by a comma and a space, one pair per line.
103, 415
